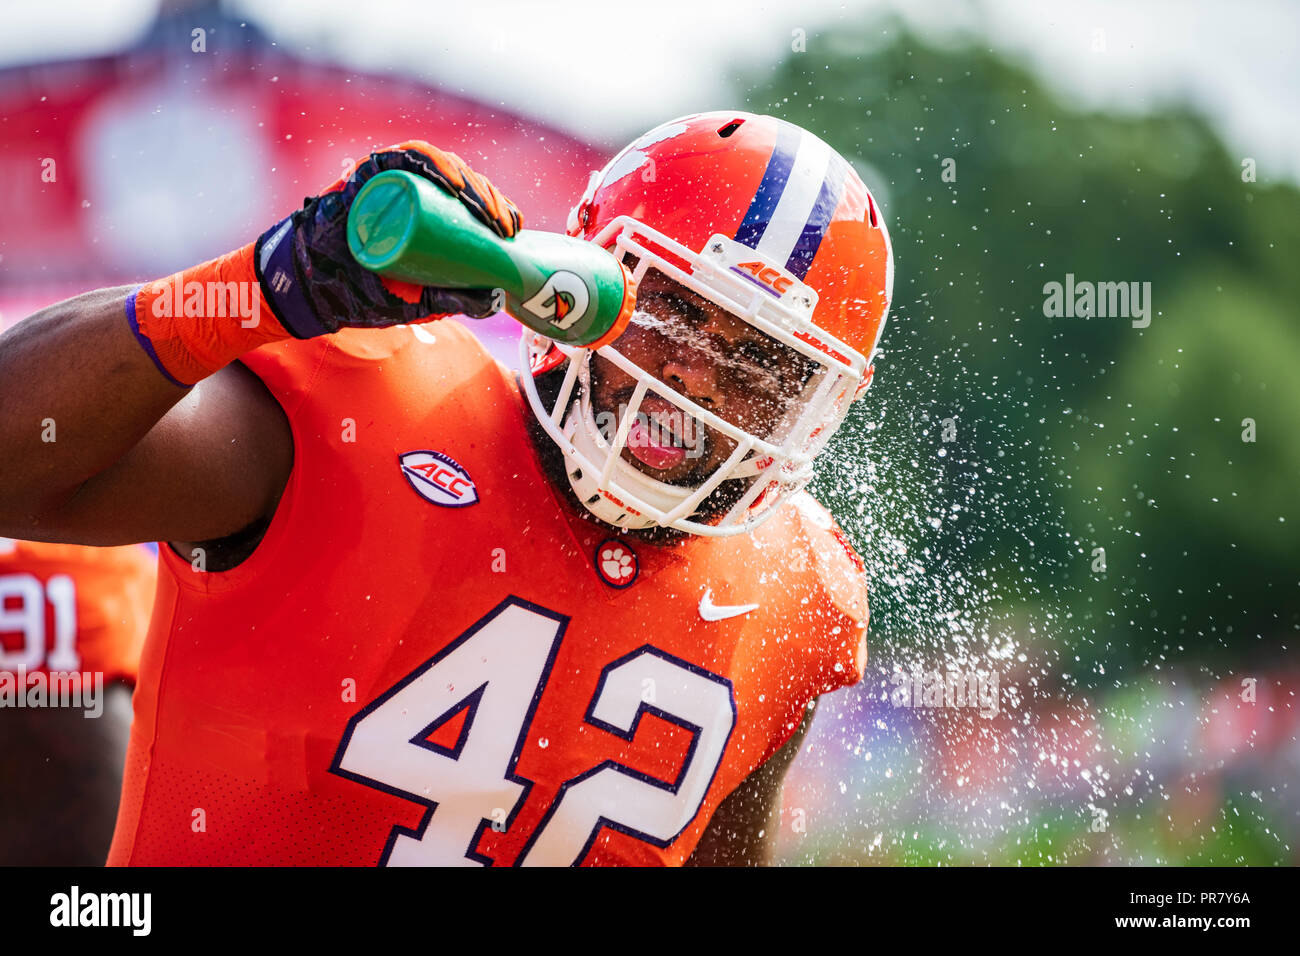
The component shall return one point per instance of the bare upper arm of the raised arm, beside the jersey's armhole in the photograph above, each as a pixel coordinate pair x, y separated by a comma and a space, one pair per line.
214, 465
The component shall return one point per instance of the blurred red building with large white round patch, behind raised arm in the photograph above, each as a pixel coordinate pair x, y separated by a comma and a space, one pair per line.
129, 167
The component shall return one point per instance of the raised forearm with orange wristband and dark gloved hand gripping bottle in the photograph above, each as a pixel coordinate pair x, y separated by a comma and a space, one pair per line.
83, 383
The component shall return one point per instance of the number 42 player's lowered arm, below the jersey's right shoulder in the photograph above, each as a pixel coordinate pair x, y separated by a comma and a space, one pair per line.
743, 830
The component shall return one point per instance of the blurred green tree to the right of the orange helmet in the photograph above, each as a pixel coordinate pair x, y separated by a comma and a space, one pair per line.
1073, 434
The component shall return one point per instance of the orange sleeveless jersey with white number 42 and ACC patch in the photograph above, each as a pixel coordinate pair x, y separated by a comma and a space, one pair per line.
431, 659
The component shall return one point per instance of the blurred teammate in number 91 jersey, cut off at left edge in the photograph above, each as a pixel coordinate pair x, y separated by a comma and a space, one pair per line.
72, 625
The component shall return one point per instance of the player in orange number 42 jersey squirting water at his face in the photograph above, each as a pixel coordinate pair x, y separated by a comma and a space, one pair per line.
417, 609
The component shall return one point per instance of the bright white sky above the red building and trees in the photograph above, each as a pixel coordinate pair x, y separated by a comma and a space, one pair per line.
610, 71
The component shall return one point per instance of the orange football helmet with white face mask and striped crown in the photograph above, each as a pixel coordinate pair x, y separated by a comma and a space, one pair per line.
768, 222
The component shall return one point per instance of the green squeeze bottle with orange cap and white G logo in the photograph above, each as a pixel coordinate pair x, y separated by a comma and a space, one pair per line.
405, 227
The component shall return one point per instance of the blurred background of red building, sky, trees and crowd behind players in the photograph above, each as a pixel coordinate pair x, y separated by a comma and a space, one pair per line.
1147, 711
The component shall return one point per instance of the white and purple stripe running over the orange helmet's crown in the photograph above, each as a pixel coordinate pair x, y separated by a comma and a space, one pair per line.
795, 201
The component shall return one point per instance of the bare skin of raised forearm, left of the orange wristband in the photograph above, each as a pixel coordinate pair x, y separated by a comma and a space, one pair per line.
77, 392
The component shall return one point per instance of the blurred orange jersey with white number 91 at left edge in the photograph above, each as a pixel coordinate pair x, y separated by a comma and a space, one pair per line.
71, 608
